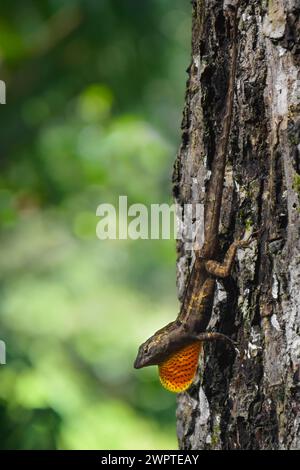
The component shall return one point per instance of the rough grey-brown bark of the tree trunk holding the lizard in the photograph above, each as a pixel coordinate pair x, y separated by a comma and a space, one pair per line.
249, 401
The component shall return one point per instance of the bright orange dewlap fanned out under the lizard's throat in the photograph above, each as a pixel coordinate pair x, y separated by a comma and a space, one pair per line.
177, 373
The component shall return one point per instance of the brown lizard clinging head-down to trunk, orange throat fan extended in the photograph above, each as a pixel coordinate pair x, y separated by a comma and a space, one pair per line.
176, 347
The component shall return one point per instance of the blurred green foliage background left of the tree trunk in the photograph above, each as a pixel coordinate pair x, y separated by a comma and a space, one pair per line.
95, 90
